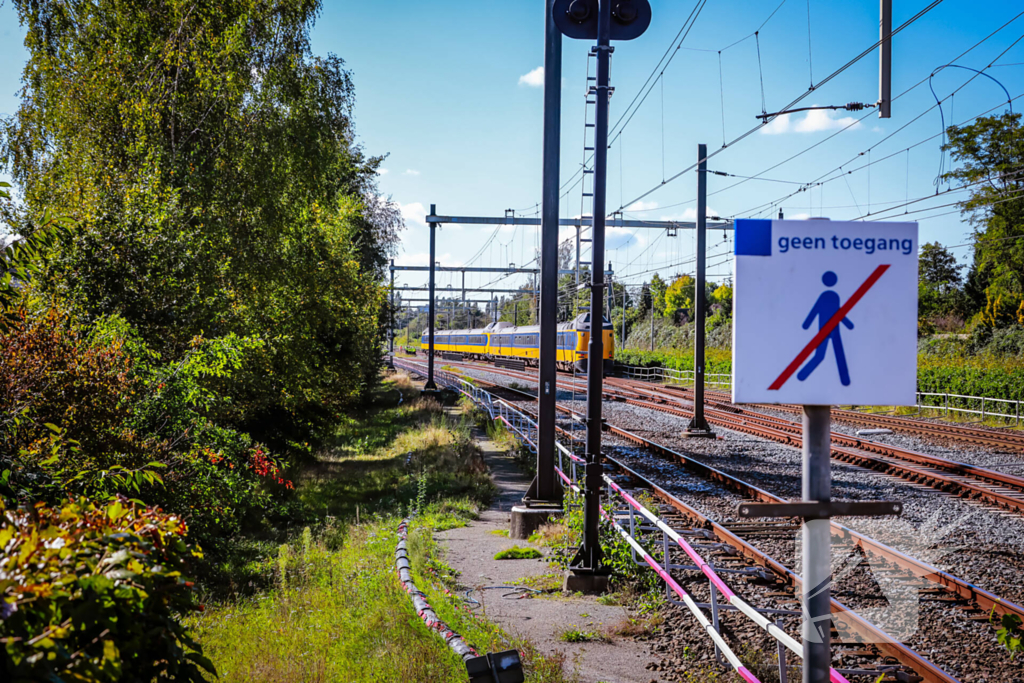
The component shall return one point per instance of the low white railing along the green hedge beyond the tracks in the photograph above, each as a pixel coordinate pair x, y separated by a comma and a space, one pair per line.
987, 407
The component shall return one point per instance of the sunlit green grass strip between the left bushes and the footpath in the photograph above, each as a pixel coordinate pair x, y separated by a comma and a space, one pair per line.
330, 607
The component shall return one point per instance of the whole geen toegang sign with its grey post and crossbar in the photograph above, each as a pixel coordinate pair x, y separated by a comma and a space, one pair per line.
825, 314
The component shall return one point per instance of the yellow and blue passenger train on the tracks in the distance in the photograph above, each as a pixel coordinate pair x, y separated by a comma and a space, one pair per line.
504, 340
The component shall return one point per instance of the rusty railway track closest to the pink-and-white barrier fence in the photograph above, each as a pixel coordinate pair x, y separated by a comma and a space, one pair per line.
854, 632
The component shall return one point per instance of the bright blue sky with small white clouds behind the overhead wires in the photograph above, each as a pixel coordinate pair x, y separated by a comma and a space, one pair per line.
450, 93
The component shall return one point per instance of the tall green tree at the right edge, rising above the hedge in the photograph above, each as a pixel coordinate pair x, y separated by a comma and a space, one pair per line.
991, 157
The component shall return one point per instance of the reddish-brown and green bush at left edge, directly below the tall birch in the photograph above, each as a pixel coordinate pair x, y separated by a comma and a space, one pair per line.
94, 412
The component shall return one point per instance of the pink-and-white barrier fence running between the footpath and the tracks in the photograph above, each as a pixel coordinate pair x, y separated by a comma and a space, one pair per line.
642, 520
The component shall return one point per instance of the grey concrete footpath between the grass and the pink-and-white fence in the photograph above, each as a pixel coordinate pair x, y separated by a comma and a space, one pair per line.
542, 620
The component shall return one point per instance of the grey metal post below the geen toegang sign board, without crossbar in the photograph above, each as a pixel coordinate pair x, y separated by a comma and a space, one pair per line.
818, 546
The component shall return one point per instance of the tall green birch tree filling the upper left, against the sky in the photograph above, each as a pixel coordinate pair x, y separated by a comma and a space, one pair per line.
209, 162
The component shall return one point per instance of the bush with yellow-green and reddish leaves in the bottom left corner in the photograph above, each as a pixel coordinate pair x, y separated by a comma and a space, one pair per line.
92, 593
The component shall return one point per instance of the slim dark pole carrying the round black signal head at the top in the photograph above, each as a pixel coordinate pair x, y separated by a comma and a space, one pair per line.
588, 559
